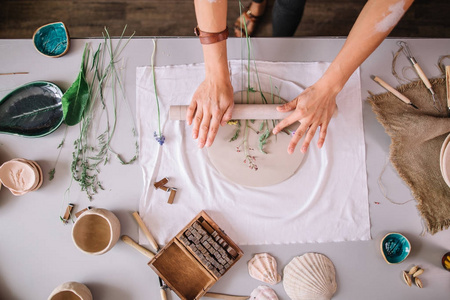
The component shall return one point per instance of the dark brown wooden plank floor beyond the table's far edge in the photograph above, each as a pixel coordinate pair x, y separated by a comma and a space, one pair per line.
87, 18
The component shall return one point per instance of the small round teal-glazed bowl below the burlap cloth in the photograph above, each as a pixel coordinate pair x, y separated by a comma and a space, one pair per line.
395, 248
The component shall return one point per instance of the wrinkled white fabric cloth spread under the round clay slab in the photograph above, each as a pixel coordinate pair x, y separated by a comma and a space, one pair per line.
325, 201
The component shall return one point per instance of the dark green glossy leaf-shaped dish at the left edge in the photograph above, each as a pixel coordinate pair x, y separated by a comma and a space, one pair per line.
32, 110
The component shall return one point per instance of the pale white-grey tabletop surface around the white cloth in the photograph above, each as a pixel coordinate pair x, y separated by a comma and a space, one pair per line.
36, 249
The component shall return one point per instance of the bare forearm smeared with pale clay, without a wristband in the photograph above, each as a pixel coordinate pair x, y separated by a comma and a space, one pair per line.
375, 22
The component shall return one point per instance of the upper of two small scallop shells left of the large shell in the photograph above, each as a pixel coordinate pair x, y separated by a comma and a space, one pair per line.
263, 267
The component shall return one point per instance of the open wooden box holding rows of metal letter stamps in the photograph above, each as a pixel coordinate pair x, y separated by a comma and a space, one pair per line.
196, 258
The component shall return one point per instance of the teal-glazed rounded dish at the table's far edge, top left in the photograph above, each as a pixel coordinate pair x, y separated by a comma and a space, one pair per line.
52, 39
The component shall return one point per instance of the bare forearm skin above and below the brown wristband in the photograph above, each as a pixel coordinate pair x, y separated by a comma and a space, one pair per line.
212, 17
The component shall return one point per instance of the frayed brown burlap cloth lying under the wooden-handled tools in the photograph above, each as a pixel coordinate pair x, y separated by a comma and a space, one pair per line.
416, 139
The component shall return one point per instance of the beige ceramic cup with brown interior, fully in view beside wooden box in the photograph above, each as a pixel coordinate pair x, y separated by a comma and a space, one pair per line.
96, 231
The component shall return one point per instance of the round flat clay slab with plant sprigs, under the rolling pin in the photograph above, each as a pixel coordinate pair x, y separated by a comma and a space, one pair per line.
257, 169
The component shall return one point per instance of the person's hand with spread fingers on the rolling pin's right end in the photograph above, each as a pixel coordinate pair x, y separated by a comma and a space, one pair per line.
313, 108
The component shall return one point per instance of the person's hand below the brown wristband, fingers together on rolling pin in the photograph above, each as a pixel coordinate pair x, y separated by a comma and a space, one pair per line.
211, 106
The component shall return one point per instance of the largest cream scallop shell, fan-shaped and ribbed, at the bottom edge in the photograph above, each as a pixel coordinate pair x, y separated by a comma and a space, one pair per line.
310, 276
